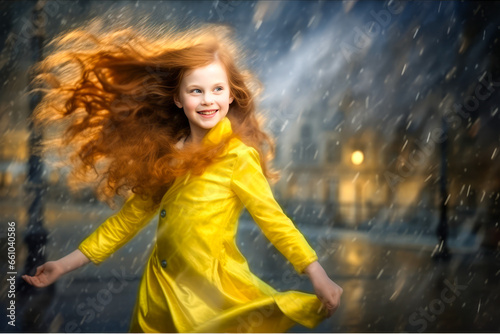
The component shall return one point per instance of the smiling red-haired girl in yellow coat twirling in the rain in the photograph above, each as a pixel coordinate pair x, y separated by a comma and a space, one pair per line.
173, 120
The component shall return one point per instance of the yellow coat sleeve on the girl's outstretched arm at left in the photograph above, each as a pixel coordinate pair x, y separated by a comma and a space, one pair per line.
117, 230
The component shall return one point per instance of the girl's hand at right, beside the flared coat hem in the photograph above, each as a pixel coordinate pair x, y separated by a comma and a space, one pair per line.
328, 291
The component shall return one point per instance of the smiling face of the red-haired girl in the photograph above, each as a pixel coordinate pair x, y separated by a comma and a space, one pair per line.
205, 97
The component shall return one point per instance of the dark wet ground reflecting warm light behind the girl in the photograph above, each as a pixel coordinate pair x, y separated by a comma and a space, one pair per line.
390, 284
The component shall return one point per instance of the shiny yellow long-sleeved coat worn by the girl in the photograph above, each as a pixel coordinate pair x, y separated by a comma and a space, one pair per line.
196, 279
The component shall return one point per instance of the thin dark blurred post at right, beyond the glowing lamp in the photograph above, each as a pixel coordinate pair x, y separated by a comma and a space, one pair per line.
441, 250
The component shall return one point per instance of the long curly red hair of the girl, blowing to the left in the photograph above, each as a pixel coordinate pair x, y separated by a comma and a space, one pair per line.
109, 104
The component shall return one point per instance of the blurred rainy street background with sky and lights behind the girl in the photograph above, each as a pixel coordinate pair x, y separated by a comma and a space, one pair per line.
386, 120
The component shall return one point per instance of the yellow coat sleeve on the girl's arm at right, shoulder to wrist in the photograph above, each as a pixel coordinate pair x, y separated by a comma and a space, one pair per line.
252, 187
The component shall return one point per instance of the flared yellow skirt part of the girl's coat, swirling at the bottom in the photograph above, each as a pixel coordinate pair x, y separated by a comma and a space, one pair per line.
159, 310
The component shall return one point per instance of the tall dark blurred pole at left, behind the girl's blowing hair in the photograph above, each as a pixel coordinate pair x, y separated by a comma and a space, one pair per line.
35, 236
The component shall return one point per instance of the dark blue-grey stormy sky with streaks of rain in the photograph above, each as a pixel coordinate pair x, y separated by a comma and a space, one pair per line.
310, 54
